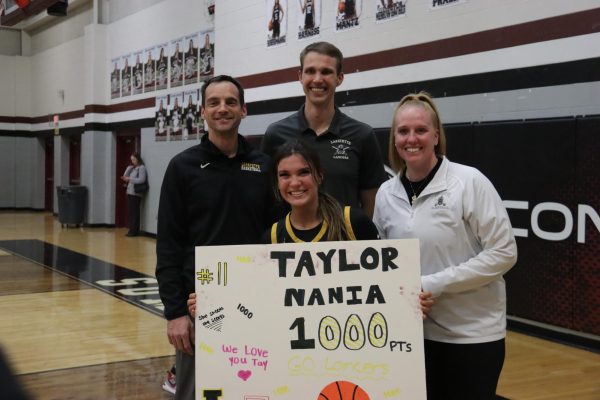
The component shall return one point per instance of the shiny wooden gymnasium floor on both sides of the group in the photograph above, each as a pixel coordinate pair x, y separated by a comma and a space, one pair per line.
81, 319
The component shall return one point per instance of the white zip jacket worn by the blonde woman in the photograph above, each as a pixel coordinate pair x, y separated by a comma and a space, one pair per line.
466, 243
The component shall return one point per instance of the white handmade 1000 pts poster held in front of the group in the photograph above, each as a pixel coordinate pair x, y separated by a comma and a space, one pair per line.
327, 320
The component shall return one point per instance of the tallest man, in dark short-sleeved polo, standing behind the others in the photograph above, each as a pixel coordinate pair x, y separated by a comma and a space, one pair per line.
349, 152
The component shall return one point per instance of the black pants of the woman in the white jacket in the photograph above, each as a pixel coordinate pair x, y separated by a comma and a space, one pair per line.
463, 371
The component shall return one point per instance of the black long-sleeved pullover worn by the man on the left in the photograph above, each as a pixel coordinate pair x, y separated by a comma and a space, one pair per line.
208, 199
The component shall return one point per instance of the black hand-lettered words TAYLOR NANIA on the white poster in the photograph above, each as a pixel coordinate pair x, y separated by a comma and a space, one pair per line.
304, 264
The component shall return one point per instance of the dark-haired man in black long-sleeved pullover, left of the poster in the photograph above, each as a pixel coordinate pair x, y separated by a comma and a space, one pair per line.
215, 193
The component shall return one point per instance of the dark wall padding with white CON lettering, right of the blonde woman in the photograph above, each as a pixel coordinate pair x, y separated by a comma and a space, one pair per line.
555, 160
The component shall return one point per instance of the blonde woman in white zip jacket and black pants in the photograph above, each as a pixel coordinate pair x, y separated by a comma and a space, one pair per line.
466, 243
